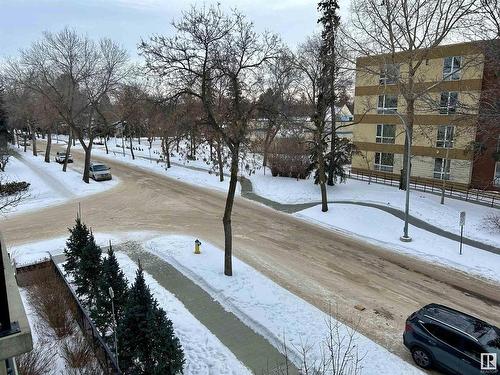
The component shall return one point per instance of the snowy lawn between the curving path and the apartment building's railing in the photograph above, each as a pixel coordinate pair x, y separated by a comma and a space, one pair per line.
424, 206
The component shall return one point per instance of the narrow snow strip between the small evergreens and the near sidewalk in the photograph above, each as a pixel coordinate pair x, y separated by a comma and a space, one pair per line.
204, 353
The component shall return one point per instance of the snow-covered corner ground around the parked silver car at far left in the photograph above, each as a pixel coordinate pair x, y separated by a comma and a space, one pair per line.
49, 185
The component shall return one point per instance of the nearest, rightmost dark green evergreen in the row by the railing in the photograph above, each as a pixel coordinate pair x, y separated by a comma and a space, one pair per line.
146, 339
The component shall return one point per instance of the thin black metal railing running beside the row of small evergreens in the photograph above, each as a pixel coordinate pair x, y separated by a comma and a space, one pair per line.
102, 352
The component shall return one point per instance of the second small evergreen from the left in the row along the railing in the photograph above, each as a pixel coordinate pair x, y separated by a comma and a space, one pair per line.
88, 272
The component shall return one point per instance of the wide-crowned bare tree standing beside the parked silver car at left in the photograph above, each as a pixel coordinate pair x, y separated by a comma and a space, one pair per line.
74, 74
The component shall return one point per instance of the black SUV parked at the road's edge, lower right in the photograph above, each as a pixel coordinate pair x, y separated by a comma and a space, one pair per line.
439, 336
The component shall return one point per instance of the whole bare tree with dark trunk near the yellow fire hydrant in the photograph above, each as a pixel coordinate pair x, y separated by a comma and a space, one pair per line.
210, 48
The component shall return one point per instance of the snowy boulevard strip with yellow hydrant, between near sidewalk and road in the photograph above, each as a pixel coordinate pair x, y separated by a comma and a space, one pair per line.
266, 307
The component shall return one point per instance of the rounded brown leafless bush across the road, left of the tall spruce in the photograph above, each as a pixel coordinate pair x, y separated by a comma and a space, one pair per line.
288, 158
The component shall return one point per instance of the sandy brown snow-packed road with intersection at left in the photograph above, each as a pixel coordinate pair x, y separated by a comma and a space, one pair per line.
326, 268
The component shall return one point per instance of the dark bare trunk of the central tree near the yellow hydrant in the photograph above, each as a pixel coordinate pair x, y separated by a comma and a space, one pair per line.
226, 220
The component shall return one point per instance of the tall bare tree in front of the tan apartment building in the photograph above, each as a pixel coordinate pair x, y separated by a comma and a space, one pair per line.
380, 30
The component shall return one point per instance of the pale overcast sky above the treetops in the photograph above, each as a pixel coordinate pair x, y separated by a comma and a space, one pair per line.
127, 21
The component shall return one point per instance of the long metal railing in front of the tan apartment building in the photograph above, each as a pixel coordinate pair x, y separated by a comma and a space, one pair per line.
451, 191
